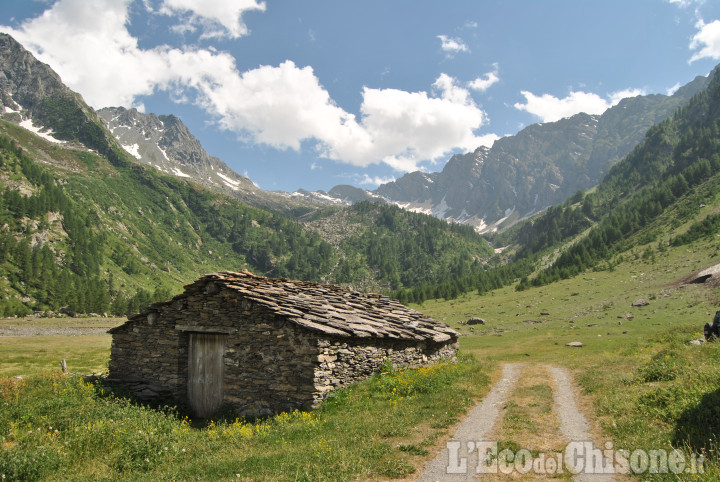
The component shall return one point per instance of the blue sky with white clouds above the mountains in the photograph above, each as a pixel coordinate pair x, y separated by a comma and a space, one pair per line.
311, 94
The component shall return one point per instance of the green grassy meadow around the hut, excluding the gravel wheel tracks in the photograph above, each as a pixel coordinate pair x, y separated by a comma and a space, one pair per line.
641, 380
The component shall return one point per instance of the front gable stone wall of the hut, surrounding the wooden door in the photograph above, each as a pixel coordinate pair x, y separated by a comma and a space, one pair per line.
268, 362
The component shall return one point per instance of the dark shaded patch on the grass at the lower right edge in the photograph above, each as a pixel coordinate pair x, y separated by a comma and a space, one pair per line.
699, 426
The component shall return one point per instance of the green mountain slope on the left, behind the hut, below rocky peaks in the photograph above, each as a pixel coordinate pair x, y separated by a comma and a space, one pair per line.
79, 231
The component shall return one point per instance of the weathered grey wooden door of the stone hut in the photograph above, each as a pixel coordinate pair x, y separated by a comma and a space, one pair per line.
205, 372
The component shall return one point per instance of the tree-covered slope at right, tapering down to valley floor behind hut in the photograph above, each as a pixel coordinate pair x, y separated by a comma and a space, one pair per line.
664, 192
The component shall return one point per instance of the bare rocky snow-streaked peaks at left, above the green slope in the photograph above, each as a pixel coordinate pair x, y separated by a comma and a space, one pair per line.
34, 96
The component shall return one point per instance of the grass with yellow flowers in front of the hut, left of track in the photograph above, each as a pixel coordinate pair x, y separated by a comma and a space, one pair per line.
60, 427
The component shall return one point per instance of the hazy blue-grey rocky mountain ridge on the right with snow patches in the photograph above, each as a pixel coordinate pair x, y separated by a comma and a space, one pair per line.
540, 166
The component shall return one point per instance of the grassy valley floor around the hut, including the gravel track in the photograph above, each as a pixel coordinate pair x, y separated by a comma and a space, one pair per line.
636, 383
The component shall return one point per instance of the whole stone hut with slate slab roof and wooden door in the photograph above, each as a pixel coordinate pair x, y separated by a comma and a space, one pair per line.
262, 345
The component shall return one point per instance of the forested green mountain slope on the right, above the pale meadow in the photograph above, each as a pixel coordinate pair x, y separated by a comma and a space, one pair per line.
661, 185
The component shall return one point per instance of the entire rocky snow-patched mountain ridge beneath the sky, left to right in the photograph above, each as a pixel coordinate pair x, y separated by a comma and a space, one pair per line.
518, 176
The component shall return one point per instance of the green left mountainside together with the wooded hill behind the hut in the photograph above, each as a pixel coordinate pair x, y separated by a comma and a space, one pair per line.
82, 232
